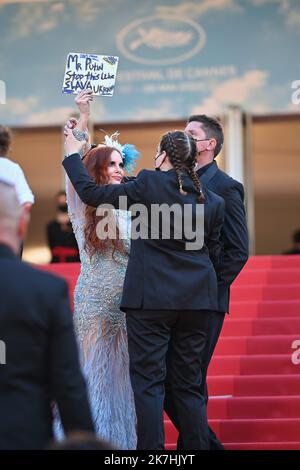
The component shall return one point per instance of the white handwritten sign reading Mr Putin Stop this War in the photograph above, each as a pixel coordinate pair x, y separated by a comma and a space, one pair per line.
97, 72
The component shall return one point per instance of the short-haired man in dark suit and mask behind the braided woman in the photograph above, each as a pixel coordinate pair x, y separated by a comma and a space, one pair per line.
208, 134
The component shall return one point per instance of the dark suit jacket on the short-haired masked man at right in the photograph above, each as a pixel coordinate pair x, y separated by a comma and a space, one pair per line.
234, 233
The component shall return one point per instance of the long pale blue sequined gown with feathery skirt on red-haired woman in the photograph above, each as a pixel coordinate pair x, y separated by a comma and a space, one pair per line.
101, 331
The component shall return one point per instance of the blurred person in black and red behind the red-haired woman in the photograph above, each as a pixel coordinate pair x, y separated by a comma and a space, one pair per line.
61, 239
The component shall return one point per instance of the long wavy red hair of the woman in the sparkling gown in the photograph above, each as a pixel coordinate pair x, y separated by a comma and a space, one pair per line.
96, 162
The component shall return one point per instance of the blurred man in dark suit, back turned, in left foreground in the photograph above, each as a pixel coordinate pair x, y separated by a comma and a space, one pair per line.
41, 358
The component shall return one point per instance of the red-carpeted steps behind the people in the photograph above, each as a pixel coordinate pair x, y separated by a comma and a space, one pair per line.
253, 383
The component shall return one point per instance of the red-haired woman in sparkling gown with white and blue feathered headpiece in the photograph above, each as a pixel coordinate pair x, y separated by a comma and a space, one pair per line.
99, 323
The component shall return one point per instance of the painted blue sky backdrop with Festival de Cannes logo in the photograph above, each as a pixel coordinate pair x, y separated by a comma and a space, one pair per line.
176, 57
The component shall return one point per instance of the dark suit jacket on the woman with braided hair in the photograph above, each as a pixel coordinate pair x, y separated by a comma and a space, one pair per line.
161, 274
